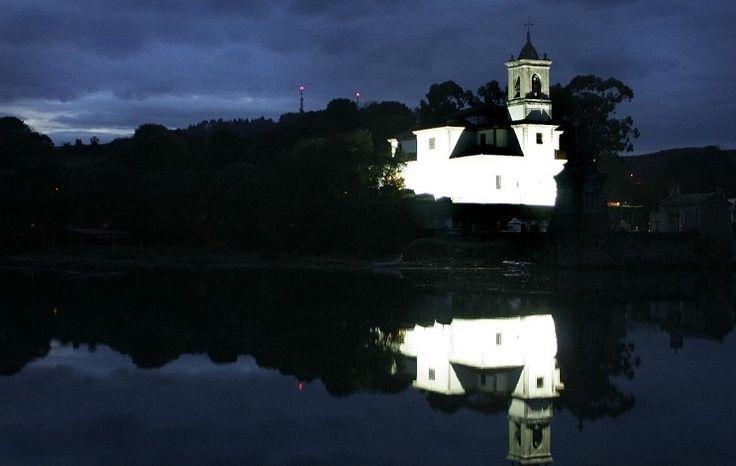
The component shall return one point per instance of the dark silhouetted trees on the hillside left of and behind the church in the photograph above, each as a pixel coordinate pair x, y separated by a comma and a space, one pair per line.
317, 181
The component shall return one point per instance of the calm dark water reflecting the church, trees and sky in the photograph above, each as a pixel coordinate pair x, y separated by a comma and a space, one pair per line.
320, 368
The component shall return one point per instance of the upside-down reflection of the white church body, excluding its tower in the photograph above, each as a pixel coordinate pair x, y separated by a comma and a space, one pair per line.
515, 356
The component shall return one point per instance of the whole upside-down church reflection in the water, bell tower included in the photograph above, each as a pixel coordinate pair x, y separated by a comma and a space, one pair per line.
486, 361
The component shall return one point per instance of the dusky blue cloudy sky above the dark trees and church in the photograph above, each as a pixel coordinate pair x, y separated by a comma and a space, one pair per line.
74, 68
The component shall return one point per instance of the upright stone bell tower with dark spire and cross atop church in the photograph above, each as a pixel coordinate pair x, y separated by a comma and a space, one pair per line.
528, 86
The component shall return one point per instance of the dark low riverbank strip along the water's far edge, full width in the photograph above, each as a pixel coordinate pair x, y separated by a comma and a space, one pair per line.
612, 251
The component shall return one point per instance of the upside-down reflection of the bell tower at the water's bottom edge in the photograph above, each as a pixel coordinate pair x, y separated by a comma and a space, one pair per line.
529, 431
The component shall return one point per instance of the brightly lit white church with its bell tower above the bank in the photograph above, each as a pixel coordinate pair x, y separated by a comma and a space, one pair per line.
486, 157
